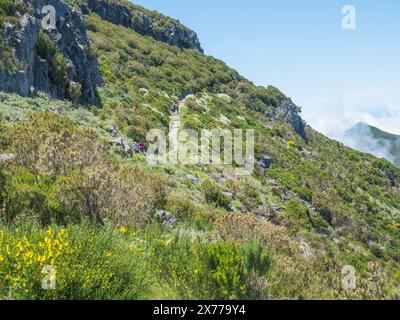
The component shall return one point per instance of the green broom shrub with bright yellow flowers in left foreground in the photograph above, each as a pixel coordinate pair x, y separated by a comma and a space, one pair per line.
88, 263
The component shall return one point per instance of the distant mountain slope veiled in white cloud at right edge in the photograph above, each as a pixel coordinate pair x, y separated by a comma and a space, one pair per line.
372, 140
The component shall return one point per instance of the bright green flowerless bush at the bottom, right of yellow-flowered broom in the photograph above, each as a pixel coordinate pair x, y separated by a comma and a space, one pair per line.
193, 269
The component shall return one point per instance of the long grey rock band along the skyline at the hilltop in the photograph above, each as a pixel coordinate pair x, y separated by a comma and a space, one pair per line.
161, 29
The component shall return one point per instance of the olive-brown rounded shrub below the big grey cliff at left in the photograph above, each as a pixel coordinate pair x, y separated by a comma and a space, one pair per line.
46, 143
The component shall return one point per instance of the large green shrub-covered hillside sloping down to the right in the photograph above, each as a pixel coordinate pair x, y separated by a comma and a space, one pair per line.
114, 227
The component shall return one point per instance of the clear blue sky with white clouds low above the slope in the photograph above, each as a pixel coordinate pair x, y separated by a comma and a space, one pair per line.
338, 76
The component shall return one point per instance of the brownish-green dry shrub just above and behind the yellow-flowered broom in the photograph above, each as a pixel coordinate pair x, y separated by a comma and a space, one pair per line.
126, 195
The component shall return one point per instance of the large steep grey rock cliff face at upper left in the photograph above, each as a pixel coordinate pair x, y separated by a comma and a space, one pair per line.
32, 72
